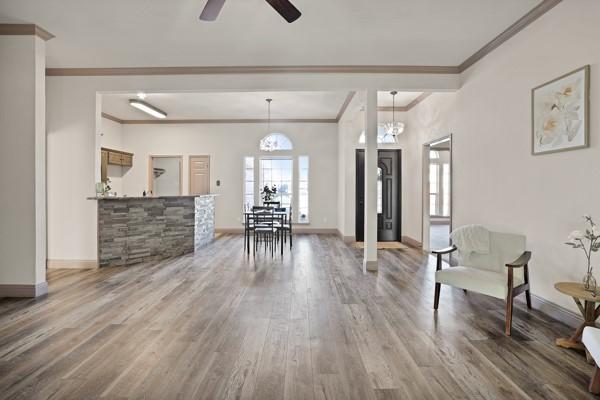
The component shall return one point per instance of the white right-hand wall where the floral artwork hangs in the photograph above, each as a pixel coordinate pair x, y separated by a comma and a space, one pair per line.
497, 182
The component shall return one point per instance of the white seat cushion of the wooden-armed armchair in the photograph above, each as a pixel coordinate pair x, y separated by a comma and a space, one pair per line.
483, 281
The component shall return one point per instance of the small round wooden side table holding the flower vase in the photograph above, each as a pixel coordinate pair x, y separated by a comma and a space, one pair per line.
588, 310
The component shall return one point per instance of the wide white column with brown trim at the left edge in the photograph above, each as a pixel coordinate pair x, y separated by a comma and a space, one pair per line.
22, 161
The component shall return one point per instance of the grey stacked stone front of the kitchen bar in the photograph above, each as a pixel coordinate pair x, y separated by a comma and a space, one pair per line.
134, 230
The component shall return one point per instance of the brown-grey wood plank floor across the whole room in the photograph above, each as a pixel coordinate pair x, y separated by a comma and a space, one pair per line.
219, 325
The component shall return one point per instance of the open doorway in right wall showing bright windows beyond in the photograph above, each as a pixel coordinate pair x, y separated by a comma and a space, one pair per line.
437, 199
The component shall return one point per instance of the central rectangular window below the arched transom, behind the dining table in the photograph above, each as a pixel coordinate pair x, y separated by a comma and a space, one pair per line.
278, 172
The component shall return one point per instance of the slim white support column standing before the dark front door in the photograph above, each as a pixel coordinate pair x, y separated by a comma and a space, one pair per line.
370, 255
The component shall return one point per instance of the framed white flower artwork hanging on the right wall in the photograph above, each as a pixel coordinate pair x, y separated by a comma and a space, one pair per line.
560, 113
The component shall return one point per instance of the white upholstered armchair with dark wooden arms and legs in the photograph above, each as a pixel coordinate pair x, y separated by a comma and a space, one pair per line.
502, 272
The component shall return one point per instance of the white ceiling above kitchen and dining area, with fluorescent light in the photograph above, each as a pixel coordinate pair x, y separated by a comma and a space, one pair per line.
241, 105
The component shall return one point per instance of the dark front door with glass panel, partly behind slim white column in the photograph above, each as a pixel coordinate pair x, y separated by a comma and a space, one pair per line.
388, 195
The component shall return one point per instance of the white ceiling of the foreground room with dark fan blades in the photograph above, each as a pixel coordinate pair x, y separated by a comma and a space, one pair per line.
120, 33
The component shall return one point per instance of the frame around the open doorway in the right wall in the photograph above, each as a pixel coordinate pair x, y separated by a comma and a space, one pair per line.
425, 217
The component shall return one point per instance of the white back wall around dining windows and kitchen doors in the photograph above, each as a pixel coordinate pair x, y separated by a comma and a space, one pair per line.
227, 145
